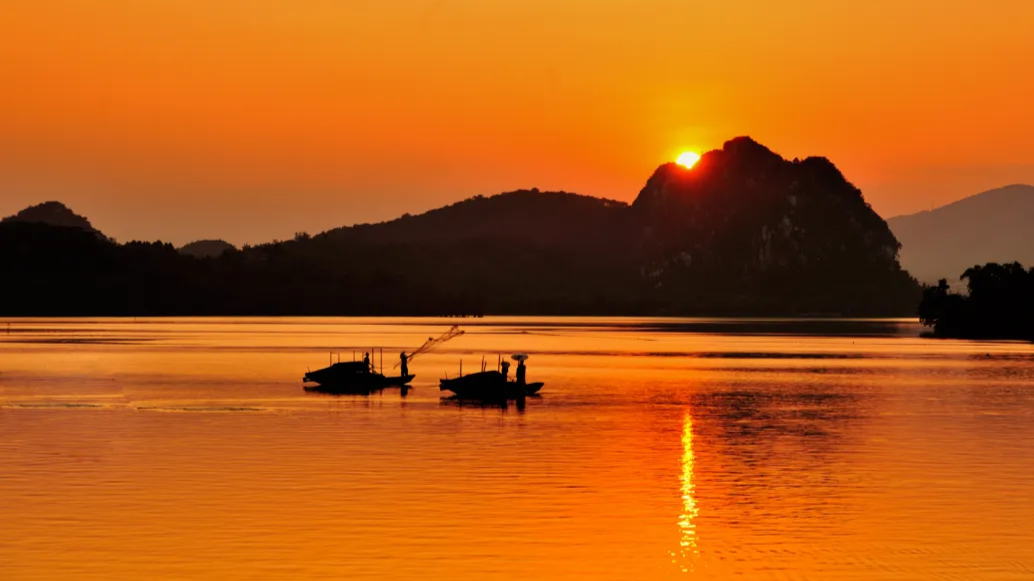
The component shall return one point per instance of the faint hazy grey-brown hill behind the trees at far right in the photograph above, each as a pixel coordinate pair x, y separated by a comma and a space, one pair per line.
994, 227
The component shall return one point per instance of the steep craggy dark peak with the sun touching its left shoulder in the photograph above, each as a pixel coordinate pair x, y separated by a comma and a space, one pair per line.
746, 228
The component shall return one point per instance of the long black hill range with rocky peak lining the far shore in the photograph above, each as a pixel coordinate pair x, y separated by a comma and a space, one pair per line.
746, 232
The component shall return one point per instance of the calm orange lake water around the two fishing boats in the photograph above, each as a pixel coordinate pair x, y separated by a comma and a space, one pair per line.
187, 449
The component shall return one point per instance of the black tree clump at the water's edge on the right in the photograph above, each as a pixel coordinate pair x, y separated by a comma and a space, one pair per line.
1000, 305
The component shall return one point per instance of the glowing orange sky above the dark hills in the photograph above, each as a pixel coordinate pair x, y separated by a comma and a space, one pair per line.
254, 119
